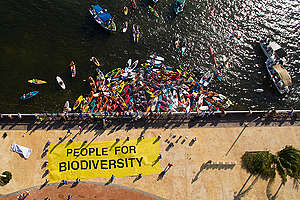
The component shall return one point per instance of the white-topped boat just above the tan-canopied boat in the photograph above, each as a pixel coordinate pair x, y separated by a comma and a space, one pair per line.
271, 48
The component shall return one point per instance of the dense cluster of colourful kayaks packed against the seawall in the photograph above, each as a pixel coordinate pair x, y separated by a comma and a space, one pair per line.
150, 87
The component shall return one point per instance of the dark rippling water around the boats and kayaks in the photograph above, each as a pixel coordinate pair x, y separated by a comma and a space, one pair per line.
39, 39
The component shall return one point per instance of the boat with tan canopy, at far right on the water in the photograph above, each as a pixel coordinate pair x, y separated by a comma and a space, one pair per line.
278, 75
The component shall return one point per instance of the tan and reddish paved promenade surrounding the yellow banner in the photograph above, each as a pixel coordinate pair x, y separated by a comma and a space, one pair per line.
185, 180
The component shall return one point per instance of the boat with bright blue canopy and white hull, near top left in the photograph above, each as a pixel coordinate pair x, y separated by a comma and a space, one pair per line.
103, 18
